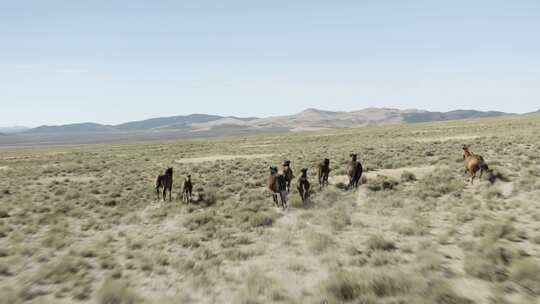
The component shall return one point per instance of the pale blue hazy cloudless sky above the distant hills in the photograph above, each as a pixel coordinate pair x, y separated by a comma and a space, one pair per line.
114, 61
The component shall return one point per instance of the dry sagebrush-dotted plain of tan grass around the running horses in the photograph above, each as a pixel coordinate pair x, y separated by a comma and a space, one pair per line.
81, 224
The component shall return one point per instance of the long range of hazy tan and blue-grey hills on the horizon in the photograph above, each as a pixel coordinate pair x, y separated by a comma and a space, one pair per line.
308, 119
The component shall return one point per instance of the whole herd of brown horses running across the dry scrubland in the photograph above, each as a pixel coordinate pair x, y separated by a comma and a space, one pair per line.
279, 181
